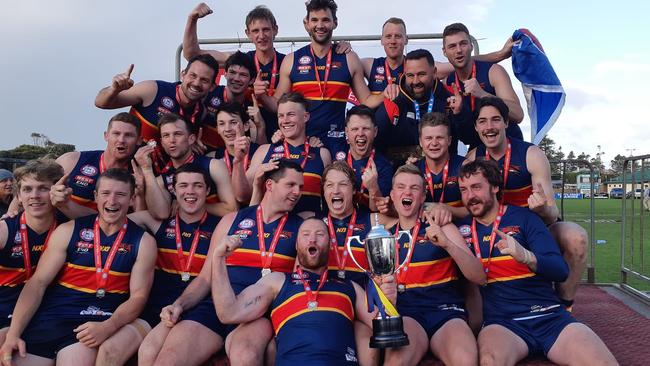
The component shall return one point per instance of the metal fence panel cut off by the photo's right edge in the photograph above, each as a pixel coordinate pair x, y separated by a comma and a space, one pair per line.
635, 277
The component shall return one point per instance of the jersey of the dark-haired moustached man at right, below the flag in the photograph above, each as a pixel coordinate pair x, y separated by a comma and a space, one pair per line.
520, 183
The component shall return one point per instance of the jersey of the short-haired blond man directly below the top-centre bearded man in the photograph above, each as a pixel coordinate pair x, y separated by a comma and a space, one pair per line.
310, 200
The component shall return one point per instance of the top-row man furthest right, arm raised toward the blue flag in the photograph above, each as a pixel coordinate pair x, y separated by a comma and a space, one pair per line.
477, 79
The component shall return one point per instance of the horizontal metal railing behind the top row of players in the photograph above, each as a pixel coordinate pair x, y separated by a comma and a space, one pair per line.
300, 40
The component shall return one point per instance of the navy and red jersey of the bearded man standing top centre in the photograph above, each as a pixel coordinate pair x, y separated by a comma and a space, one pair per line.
327, 100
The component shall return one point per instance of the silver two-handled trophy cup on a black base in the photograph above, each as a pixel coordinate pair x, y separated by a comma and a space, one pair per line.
383, 259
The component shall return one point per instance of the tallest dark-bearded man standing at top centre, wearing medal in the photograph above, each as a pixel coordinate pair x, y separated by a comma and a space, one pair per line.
323, 77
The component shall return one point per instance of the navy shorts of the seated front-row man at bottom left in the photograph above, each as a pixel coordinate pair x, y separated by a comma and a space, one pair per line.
46, 339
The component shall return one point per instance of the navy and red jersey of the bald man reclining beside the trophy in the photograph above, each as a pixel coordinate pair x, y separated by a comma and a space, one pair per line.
323, 336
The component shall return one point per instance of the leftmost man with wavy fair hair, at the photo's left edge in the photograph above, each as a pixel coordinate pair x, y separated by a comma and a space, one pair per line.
23, 238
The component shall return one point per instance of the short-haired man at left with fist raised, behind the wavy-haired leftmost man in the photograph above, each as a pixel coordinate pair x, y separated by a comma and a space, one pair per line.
75, 196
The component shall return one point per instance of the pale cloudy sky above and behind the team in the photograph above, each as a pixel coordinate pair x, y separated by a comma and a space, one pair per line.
56, 56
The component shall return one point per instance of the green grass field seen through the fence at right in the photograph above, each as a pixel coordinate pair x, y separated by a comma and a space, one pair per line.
608, 216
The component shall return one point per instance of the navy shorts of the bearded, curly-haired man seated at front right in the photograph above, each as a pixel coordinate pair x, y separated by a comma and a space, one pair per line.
539, 332
